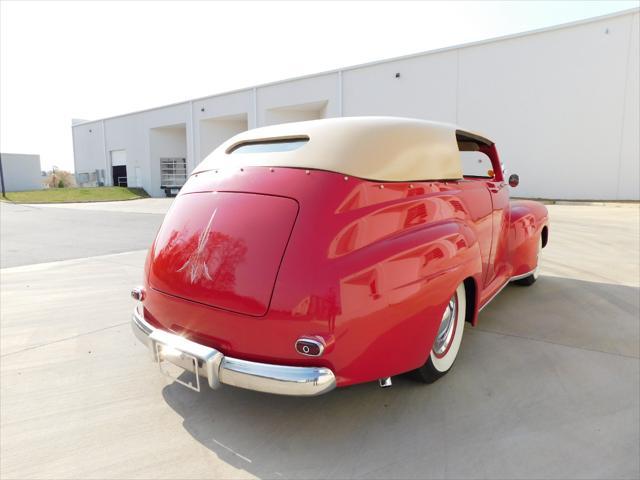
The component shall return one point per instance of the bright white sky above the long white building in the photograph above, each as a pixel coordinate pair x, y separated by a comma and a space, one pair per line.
94, 59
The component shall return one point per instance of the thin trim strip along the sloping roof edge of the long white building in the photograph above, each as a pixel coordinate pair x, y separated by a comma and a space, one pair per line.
476, 43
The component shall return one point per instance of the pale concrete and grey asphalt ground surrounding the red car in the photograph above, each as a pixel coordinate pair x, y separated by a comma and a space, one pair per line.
547, 386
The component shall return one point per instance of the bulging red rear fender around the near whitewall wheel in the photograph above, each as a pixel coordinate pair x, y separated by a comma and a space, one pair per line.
390, 310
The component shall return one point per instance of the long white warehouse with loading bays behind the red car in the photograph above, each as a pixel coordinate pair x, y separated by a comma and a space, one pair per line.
562, 104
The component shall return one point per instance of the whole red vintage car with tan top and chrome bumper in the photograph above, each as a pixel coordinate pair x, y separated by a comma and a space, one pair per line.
310, 255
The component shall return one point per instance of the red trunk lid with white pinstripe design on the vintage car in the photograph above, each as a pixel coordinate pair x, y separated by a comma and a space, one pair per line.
223, 249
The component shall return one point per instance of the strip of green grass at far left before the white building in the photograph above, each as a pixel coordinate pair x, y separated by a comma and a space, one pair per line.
67, 195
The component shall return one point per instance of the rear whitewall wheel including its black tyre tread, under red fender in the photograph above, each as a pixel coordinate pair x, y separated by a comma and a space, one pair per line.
447, 342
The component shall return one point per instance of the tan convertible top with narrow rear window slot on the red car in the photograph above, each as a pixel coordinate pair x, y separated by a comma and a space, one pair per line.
373, 148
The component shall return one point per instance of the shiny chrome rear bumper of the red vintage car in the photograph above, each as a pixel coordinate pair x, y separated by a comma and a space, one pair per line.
217, 368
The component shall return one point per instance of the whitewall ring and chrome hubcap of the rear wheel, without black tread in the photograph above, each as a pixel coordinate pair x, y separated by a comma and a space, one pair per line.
443, 357
